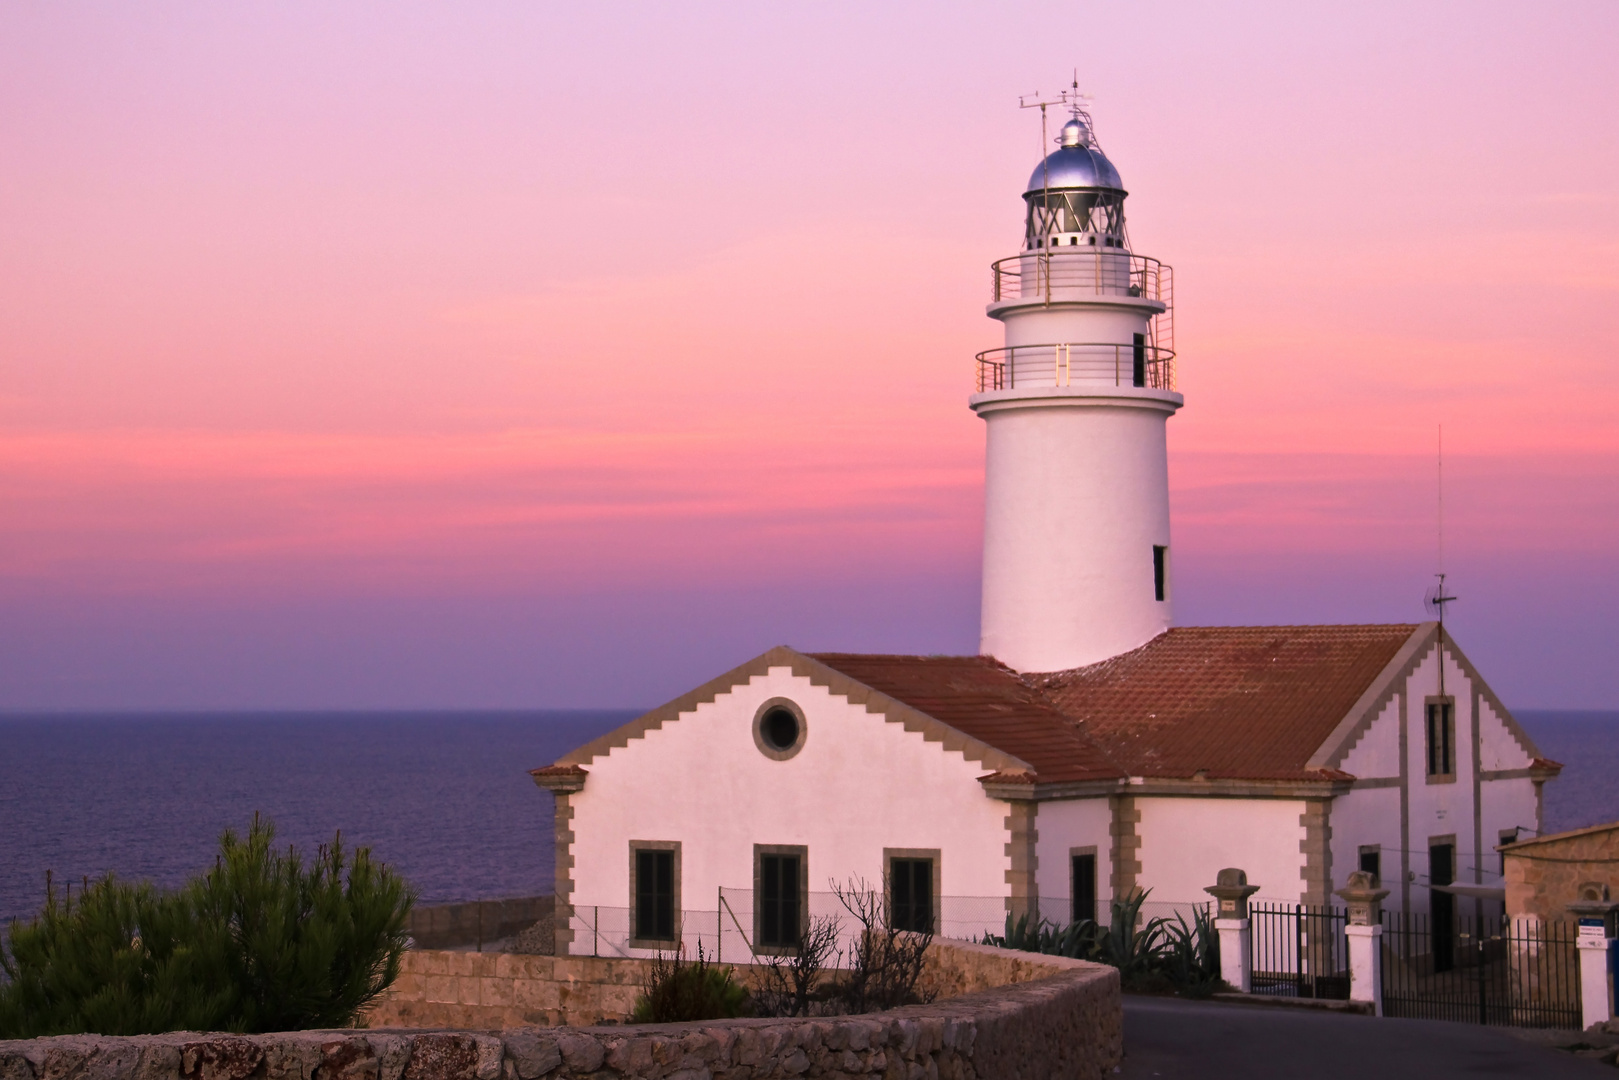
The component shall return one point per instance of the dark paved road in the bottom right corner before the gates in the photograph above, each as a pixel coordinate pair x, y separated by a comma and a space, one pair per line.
1173, 1039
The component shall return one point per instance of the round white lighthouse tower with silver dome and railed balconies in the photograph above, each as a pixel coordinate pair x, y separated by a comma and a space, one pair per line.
1077, 558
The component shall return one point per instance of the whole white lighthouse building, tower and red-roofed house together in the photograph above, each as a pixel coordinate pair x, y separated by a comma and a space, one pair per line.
1092, 750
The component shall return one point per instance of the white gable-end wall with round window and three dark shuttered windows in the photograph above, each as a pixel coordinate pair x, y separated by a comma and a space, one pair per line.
859, 784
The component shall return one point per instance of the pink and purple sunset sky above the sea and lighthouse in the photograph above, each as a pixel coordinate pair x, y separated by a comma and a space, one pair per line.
529, 355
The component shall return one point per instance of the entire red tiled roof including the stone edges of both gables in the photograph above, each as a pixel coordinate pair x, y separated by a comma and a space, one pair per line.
1210, 704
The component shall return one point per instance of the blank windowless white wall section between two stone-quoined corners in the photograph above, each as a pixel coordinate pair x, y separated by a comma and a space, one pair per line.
1186, 843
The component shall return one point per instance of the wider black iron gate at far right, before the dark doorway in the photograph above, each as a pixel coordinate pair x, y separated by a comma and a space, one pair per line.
1481, 971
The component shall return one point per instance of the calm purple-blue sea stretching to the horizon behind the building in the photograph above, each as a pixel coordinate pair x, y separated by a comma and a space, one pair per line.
443, 797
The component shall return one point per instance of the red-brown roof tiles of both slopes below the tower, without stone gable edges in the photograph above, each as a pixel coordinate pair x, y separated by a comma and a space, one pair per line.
1249, 704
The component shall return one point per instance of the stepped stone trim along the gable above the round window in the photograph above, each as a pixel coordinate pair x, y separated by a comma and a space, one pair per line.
818, 674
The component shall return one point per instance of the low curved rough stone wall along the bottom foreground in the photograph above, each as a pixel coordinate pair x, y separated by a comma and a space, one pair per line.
1068, 1024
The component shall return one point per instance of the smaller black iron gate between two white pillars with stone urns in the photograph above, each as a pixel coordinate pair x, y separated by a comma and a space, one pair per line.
1299, 951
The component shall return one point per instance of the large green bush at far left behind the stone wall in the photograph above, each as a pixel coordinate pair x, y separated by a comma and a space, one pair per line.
261, 943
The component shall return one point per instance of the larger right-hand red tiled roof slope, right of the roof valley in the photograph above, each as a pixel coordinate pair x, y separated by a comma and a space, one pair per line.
1251, 704
